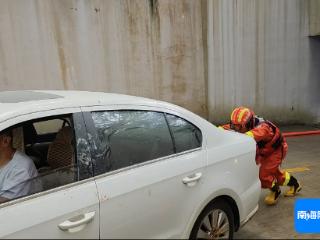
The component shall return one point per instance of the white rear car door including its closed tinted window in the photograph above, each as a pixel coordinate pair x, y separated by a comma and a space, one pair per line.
147, 189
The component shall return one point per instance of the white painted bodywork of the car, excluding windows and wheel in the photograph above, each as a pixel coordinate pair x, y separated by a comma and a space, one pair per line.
144, 201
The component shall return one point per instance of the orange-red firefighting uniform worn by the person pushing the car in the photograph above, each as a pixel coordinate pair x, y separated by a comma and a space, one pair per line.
271, 150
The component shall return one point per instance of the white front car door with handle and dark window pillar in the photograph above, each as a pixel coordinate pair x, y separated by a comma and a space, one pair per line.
67, 211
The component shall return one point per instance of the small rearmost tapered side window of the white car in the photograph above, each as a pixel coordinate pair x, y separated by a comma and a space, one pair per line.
186, 135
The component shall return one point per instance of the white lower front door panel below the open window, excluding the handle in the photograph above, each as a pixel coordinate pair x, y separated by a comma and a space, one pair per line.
39, 215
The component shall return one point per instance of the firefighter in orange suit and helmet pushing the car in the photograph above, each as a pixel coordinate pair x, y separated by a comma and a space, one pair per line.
271, 149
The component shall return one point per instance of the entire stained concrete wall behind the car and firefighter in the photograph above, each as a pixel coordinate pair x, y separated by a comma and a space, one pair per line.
207, 56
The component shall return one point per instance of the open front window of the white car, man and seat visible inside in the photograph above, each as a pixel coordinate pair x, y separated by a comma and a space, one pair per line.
43, 160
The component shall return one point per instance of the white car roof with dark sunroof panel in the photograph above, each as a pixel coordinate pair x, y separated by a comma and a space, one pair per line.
15, 103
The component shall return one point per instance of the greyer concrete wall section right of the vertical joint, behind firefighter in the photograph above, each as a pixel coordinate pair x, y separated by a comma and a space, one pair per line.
260, 56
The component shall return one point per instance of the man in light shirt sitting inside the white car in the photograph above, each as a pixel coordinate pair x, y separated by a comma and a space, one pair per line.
16, 170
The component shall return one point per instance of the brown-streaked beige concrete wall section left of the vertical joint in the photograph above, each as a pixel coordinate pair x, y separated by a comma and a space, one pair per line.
139, 47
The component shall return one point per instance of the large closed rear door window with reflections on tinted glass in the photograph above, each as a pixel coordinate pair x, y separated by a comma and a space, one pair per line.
125, 138
